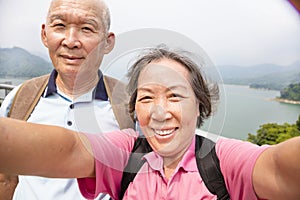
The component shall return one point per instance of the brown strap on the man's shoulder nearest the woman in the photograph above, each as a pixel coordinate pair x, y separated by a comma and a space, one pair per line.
118, 97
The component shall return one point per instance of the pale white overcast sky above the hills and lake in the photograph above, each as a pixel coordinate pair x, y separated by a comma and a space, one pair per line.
238, 32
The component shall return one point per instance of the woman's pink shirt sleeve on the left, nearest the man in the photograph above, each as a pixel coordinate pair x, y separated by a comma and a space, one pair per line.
111, 152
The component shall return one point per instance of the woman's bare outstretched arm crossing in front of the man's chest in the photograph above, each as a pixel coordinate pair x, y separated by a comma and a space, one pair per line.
42, 150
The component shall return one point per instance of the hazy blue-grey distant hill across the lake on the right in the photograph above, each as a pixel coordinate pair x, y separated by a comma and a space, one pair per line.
267, 76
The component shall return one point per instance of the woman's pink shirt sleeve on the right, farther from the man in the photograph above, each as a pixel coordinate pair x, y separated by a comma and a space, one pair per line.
237, 160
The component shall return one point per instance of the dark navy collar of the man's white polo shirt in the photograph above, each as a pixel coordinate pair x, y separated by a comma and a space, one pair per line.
100, 91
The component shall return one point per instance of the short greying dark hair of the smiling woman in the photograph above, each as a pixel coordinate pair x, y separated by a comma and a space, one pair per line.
206, 93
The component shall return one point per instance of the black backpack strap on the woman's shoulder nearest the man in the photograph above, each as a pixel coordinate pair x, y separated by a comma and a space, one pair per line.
135, 162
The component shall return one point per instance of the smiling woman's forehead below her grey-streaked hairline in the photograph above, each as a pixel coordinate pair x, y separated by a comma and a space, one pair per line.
165, 73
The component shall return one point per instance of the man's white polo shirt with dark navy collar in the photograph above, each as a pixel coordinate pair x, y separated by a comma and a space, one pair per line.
90, 113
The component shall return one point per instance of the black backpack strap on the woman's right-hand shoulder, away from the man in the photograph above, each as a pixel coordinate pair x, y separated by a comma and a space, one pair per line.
209, 167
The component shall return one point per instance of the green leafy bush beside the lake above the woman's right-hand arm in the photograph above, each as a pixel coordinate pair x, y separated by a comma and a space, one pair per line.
273, 133
